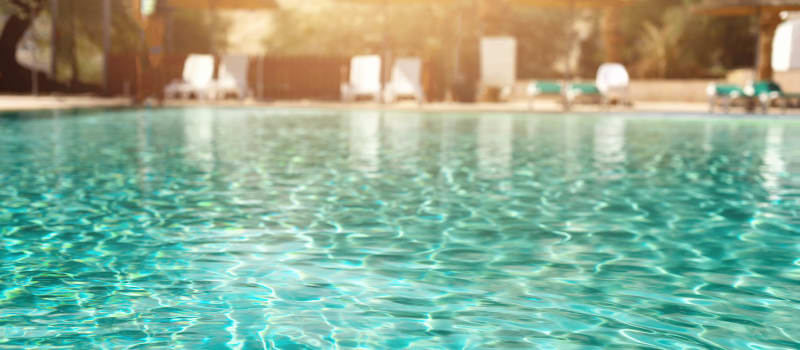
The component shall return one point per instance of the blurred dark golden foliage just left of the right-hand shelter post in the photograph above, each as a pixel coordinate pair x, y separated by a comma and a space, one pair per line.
670, 41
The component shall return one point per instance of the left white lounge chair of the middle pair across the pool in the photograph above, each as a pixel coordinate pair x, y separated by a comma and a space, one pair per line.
365, 78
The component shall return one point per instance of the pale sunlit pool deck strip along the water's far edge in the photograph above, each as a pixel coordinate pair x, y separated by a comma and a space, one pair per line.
22, 102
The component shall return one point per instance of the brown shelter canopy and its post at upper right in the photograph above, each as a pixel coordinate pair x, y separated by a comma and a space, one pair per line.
768, 14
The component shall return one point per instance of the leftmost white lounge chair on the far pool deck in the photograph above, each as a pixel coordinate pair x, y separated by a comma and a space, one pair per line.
198, 73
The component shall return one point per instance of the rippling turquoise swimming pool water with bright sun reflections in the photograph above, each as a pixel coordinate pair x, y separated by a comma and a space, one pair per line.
301, 229
